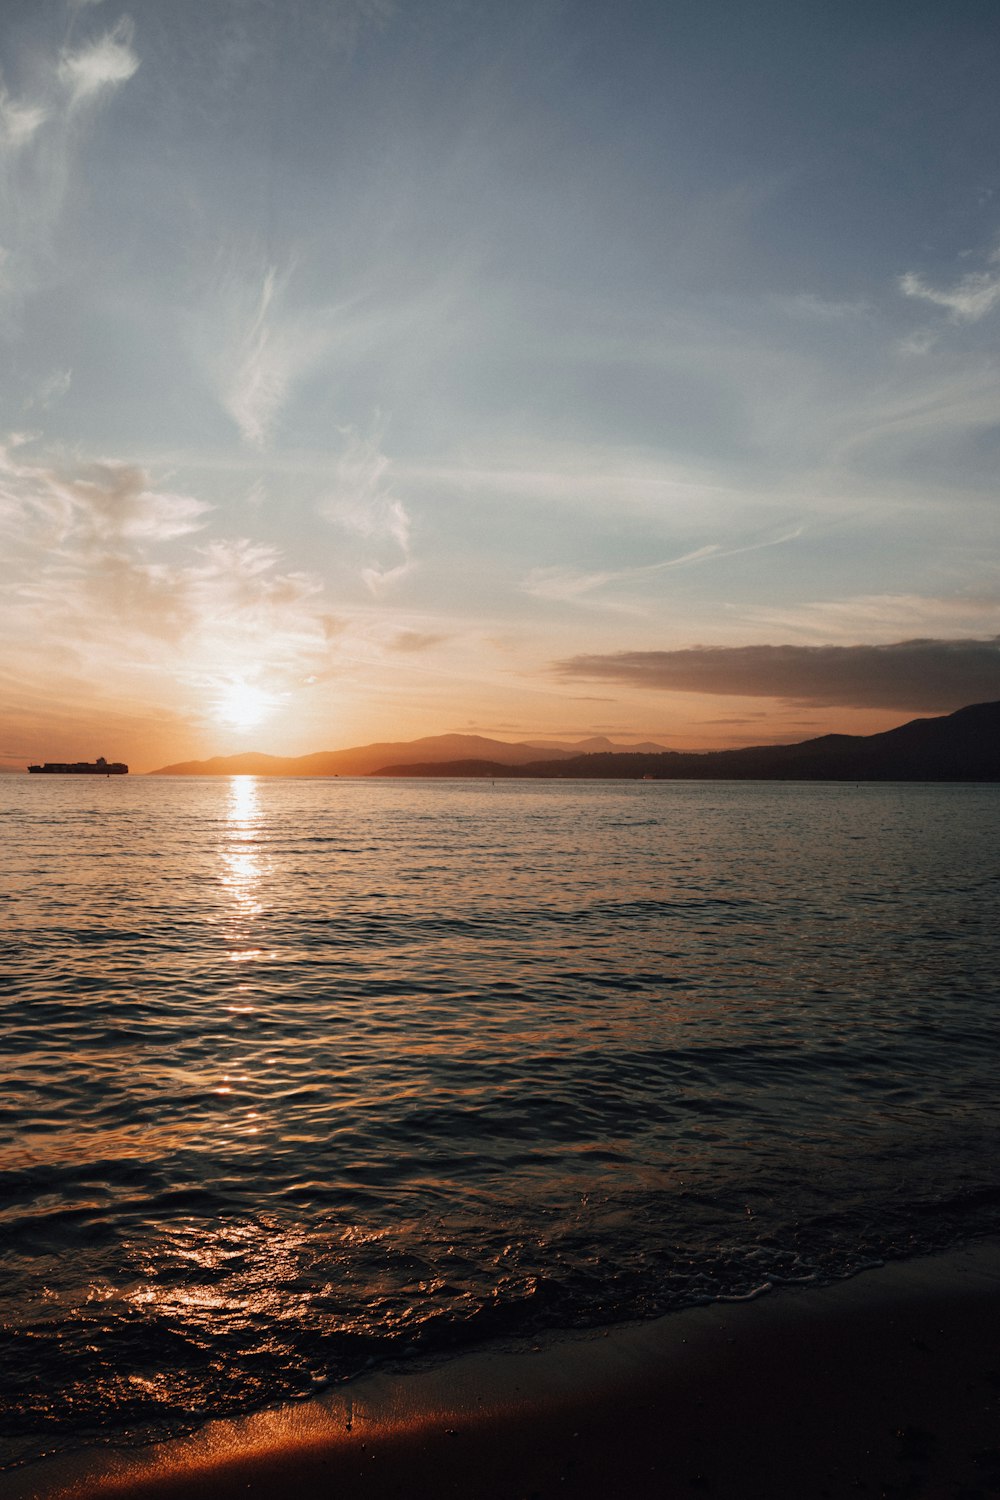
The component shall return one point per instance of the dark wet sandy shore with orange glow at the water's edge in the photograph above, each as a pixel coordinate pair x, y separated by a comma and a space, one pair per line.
885, 1385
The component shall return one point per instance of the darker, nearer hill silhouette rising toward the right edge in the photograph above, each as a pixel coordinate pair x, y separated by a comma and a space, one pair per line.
959, 748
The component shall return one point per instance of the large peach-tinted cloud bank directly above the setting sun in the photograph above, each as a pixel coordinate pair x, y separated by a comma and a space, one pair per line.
115, 569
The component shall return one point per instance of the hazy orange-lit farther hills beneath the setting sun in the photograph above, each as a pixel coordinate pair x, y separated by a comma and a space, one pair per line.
364, 760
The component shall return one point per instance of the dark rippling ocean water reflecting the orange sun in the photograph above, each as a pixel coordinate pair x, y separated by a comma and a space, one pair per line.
304, 1078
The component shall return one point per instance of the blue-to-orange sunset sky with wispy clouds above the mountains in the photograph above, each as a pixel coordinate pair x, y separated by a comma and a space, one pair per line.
385, 368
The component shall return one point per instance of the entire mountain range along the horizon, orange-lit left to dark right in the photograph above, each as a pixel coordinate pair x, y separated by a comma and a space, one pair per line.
957, 748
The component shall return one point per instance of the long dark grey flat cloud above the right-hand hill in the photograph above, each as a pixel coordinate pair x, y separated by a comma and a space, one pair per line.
909, 676
